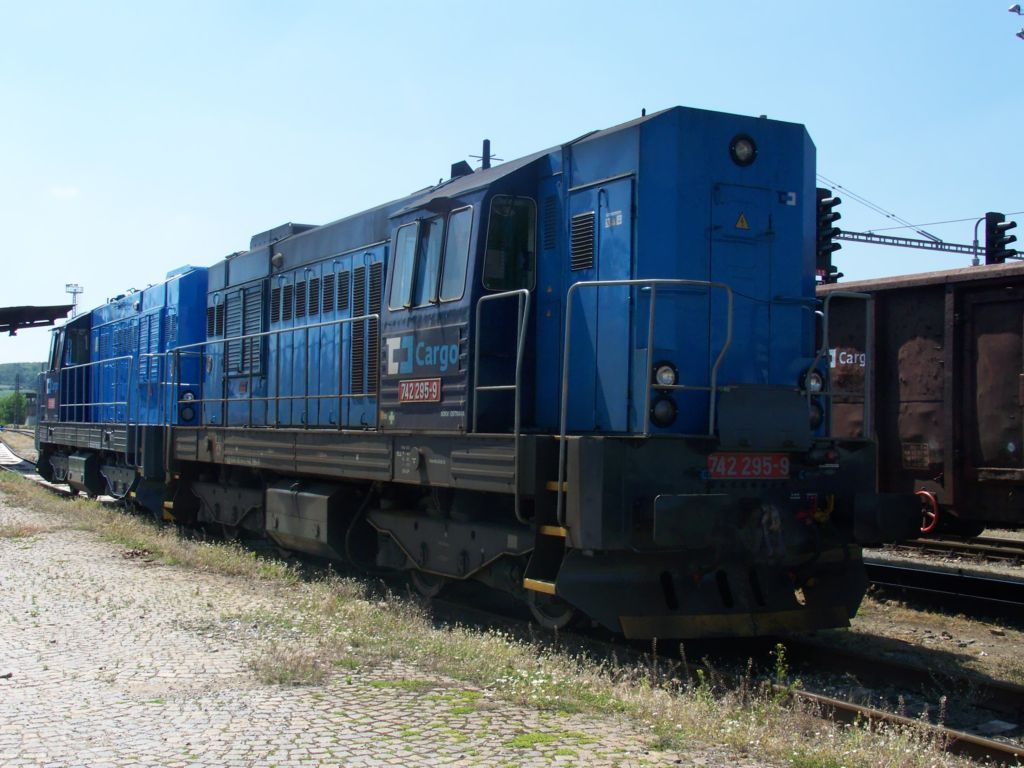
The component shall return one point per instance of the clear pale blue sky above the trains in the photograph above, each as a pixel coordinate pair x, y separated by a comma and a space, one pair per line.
140, 137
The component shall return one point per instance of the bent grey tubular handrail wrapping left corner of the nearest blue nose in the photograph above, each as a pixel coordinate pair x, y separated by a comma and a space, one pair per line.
653, 284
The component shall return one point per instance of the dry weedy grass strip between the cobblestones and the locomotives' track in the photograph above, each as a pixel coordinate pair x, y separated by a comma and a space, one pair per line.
327, 627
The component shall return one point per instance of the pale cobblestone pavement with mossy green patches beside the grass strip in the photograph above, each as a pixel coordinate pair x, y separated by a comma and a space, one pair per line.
108, 661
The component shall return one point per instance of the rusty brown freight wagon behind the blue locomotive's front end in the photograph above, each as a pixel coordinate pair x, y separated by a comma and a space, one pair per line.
949, 389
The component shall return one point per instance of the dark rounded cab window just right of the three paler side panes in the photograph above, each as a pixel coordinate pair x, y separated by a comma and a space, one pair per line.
510, 259
